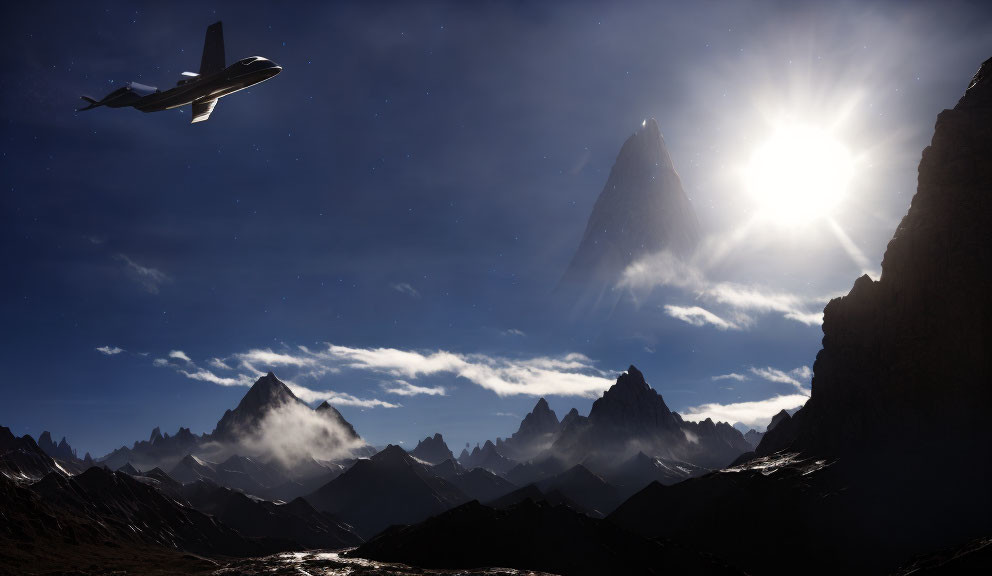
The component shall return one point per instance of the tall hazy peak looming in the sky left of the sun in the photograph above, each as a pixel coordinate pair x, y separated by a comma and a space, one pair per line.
641, 210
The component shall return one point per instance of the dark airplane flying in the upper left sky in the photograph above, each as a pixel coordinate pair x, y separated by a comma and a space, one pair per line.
201, 89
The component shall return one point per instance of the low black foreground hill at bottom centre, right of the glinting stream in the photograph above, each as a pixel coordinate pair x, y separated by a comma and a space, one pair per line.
531, 536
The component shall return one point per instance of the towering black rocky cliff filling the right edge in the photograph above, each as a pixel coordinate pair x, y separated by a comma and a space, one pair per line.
865, 466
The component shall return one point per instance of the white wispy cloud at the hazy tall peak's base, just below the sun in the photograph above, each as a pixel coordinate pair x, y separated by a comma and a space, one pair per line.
741, 301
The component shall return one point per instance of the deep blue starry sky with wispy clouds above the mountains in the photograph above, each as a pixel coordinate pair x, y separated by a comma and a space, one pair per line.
383, 224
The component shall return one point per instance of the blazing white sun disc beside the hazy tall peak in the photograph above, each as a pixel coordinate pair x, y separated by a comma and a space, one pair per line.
799, 175
